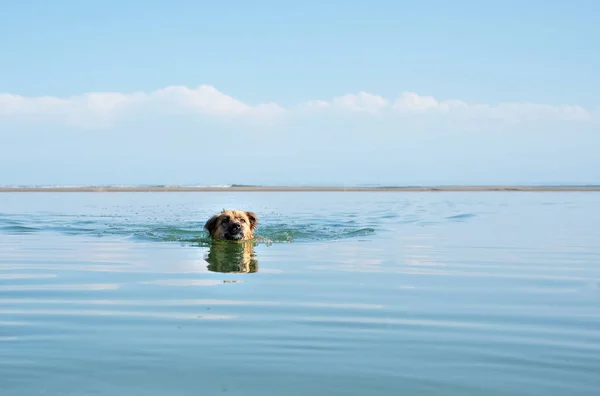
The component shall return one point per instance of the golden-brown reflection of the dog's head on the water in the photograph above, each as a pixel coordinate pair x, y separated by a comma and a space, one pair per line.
232, 257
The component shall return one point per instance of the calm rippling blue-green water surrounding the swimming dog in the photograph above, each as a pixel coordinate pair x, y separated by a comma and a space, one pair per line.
344, 294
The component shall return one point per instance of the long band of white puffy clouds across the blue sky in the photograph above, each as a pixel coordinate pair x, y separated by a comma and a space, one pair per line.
205, 100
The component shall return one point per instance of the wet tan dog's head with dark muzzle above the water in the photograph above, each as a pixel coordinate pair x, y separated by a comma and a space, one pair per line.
232, 225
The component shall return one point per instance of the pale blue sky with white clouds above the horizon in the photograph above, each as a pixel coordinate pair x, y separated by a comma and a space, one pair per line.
309, 93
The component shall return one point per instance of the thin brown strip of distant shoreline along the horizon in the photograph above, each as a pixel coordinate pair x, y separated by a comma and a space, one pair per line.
301, 189
